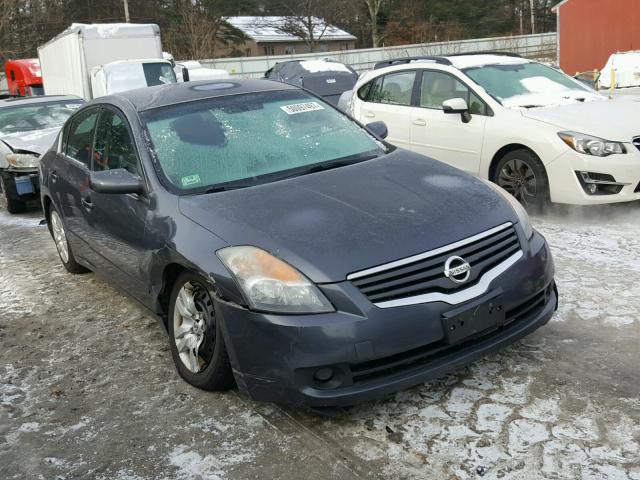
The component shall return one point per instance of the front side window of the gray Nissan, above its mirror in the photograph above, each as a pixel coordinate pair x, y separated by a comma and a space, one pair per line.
114, 146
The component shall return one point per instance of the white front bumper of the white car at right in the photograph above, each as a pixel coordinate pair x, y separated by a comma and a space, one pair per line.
566, 188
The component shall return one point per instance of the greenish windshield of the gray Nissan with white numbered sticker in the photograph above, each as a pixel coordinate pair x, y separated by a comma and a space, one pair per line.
251, 139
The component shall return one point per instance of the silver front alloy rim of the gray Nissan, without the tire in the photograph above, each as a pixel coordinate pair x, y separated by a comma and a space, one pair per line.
194, 326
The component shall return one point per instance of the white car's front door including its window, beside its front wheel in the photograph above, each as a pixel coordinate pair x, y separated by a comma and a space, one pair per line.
444, 136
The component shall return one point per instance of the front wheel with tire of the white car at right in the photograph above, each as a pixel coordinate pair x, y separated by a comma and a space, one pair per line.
522, 174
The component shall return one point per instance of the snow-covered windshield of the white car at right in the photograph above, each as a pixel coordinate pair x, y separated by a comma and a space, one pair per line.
526, 84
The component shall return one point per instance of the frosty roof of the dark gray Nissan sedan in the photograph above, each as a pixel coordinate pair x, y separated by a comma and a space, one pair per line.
163, 95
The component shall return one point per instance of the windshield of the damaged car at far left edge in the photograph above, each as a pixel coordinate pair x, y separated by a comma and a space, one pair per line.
36, 116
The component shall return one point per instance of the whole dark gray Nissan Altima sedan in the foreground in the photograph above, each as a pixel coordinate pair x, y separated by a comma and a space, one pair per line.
287, 248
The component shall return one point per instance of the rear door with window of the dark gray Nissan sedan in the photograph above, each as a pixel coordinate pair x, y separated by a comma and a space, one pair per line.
70, 180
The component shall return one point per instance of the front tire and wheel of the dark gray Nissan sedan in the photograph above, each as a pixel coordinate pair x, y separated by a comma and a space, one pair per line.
195, 336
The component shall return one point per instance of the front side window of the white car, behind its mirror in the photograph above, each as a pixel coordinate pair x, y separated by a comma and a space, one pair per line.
437, 87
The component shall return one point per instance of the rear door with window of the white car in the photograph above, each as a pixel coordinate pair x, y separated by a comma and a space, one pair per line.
389, 99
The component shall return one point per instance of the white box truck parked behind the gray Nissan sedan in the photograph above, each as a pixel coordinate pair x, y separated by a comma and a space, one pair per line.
93, 60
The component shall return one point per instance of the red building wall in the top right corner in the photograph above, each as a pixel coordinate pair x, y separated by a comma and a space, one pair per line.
591, 30
